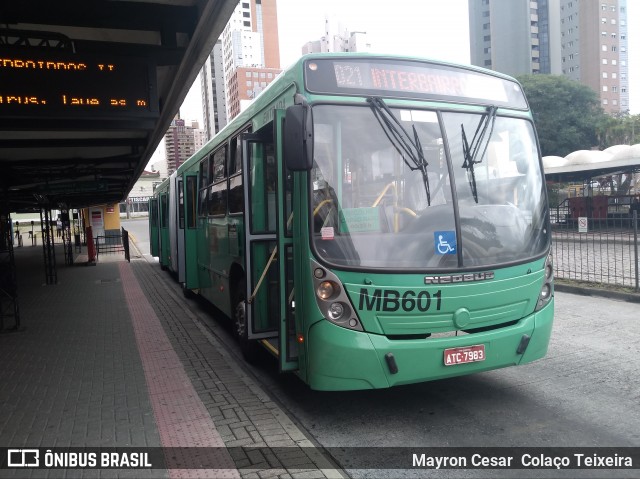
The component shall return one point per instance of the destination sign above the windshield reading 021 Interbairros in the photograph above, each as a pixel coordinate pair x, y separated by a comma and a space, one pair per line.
410, 79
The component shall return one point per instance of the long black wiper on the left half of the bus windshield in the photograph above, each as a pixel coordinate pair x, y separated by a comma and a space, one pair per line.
410, 149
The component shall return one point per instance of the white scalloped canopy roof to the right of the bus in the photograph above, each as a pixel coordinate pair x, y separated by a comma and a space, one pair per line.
582, 165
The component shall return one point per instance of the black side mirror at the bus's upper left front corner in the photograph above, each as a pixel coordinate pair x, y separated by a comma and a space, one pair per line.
298, 138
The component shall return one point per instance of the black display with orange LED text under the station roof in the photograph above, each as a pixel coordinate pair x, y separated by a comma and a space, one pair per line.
63, 85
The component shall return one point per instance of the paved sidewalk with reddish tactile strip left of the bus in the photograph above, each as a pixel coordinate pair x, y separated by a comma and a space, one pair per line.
112, 356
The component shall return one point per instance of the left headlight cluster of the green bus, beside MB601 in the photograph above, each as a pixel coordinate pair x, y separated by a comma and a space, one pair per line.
332, 299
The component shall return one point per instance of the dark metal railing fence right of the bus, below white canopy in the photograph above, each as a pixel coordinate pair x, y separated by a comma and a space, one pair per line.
597, 250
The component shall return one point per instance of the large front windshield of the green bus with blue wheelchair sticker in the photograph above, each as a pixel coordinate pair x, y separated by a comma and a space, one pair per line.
465, 191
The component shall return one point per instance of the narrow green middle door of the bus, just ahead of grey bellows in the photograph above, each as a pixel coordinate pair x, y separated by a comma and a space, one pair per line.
190, 231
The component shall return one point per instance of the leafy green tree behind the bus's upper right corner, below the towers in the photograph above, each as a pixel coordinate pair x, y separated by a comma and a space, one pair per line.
565, 112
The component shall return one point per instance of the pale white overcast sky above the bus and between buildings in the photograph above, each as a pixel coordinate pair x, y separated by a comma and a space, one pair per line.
435, 29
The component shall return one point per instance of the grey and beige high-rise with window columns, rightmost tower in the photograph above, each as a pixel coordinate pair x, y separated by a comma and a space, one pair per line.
594, 48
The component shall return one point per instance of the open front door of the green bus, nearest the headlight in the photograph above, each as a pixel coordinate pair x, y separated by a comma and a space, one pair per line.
269, 245
